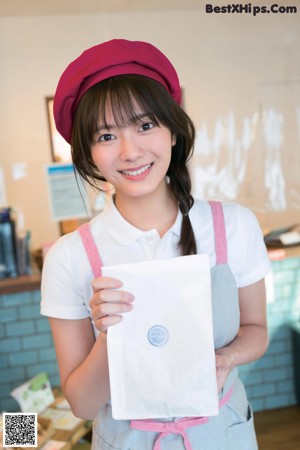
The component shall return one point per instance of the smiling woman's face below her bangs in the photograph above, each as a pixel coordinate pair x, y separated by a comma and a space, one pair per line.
134, 158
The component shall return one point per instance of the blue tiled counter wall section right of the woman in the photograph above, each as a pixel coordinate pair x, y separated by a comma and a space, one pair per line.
270, 380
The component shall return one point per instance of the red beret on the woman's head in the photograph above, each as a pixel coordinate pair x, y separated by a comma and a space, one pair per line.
115, 57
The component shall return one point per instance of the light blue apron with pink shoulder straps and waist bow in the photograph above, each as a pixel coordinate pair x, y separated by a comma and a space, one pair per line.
233, 428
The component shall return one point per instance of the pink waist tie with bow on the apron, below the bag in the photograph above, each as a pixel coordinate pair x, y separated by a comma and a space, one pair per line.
176, 427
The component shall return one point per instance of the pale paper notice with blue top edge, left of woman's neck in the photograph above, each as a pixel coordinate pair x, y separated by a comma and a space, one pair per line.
68, 197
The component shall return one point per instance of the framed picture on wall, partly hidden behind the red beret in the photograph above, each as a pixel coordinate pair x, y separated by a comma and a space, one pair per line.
61, 150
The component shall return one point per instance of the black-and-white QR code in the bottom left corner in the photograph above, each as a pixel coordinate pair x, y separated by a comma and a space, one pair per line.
19, 430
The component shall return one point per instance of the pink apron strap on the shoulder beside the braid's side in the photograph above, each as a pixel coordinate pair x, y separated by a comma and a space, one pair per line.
219, 231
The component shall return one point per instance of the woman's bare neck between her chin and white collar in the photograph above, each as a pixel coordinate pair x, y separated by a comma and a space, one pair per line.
149, 212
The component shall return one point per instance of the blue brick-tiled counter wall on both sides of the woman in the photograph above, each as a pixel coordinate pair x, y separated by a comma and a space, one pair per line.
26, 346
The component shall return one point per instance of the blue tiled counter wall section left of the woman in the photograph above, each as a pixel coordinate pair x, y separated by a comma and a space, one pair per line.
26, 346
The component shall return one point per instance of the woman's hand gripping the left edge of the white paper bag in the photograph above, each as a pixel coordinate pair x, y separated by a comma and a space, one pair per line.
108, 302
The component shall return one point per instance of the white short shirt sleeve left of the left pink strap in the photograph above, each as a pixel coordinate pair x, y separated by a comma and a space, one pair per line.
62, 296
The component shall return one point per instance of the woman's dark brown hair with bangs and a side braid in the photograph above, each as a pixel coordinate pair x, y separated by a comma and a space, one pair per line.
123, 93
